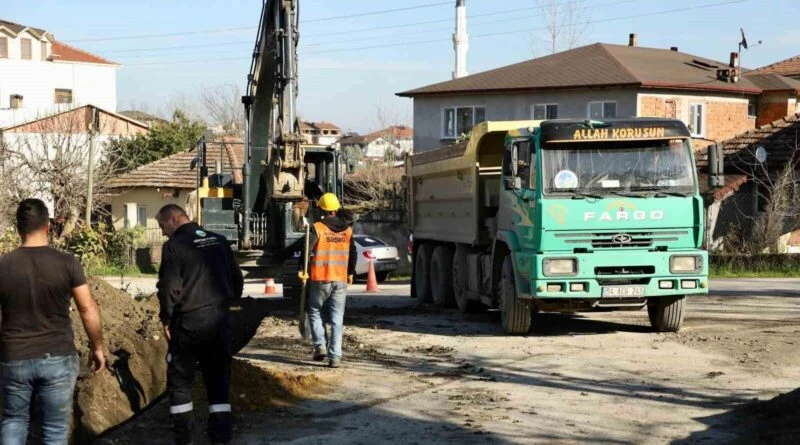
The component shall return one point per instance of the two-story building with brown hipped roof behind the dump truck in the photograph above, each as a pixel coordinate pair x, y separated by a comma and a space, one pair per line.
603, 81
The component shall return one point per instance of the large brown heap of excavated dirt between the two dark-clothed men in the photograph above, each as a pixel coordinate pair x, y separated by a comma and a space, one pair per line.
136, 353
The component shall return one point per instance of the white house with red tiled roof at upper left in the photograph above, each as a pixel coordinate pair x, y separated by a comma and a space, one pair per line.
40, 76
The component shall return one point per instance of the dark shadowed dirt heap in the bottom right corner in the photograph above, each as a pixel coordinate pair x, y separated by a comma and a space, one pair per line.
772, 422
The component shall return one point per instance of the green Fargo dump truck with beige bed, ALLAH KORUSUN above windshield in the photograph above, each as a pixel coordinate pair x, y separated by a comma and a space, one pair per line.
560, 215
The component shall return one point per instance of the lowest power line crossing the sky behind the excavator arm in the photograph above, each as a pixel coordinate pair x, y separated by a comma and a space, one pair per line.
422, 42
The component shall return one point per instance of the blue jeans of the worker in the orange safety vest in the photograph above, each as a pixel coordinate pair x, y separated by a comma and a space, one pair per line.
326, 302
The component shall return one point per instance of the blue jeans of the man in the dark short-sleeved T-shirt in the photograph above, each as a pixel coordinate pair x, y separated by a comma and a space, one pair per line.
50, 378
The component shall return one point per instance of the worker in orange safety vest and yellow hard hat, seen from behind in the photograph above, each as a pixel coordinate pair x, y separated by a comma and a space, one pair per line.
332, 264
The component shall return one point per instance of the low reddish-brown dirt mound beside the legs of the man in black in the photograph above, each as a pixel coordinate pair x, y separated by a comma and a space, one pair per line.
254, 388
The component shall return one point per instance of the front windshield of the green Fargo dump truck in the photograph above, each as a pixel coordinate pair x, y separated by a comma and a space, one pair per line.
632, 167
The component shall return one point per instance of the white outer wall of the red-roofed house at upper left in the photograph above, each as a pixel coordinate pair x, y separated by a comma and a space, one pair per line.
37, 80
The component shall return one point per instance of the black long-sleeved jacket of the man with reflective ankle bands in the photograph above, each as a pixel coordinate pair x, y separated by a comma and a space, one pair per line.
197, 271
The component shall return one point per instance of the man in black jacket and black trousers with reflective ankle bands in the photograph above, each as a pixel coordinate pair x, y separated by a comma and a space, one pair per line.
197, 281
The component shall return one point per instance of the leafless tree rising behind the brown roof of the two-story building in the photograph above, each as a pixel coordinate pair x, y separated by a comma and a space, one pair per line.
566, 23
